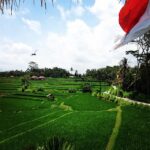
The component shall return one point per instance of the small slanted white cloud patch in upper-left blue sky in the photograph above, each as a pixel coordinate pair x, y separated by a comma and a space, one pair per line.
32, 25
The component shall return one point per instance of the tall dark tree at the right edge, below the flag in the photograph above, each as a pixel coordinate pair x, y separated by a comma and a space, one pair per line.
142, 54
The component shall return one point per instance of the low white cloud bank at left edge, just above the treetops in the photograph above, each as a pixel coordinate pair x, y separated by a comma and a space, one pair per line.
14, 55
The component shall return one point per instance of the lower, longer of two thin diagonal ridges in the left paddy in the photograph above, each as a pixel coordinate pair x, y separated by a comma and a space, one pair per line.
34, 128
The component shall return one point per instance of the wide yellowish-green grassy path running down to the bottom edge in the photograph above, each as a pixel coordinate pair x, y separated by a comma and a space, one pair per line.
113, 137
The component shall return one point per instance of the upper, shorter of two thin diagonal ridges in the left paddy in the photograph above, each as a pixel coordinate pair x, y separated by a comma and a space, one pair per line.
29, 121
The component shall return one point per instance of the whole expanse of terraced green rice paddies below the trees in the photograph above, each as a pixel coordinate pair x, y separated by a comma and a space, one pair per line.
29, 118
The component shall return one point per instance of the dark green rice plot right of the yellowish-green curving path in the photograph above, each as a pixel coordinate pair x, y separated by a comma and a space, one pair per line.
134, 131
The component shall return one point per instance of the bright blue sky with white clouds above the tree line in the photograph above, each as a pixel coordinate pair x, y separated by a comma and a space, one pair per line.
69, 34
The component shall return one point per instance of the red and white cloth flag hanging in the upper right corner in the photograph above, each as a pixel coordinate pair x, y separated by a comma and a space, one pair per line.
134, 19
